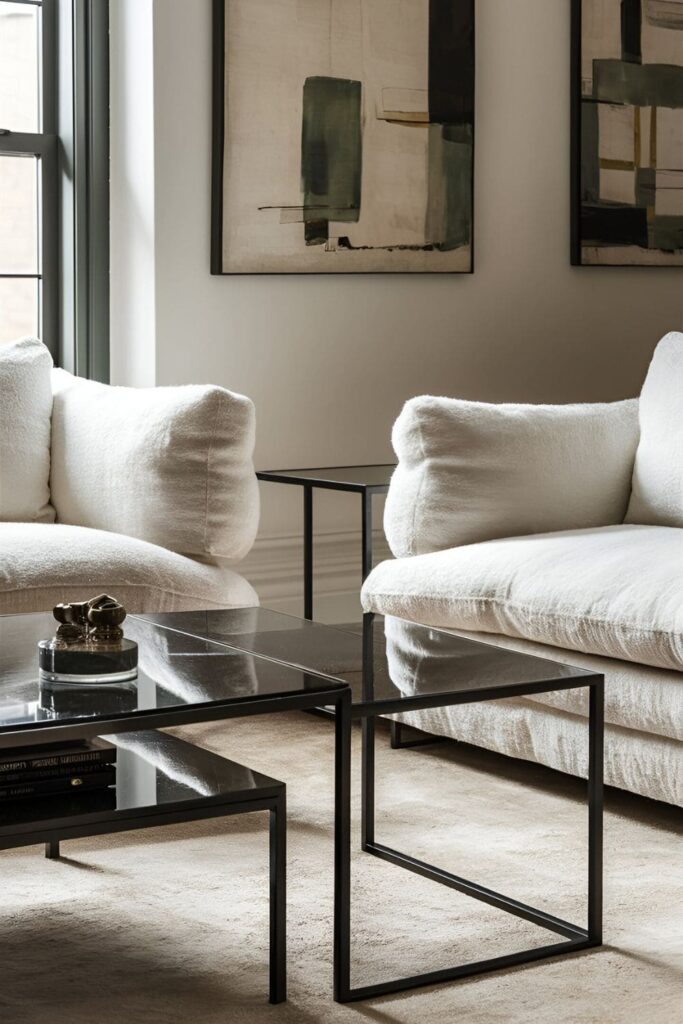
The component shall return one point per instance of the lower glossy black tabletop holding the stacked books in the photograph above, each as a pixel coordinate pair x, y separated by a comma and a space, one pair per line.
153, 773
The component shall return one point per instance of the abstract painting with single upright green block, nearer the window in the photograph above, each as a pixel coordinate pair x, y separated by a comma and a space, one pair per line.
344, 137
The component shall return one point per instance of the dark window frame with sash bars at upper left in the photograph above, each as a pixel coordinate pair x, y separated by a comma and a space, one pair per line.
72, 147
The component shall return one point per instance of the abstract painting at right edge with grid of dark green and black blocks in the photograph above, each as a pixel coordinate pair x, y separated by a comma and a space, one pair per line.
628, 133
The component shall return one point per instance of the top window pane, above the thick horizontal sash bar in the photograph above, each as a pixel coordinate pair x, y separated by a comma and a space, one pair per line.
20, 35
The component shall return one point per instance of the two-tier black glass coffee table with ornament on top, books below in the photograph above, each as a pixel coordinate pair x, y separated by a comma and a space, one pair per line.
183, 679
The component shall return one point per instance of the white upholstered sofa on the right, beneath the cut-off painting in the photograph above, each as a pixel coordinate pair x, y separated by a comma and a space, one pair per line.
556, 531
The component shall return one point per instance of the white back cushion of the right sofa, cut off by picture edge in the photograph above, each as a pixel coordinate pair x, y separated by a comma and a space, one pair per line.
657, 497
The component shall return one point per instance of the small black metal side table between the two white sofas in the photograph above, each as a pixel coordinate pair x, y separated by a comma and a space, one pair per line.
365, 481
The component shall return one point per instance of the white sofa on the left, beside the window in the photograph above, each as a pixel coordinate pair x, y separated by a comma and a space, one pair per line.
146, 493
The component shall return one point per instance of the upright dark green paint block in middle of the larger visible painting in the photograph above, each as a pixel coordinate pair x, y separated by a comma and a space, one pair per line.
331, 154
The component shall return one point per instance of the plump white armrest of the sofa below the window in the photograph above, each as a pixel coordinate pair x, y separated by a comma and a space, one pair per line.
169, 465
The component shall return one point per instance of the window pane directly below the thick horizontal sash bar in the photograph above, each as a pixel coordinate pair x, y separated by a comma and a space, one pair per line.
19, 216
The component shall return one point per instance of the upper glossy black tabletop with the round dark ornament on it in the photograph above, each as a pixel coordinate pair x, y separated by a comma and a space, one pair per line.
176, 671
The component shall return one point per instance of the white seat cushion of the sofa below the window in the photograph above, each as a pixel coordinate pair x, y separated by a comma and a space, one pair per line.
45, 564
